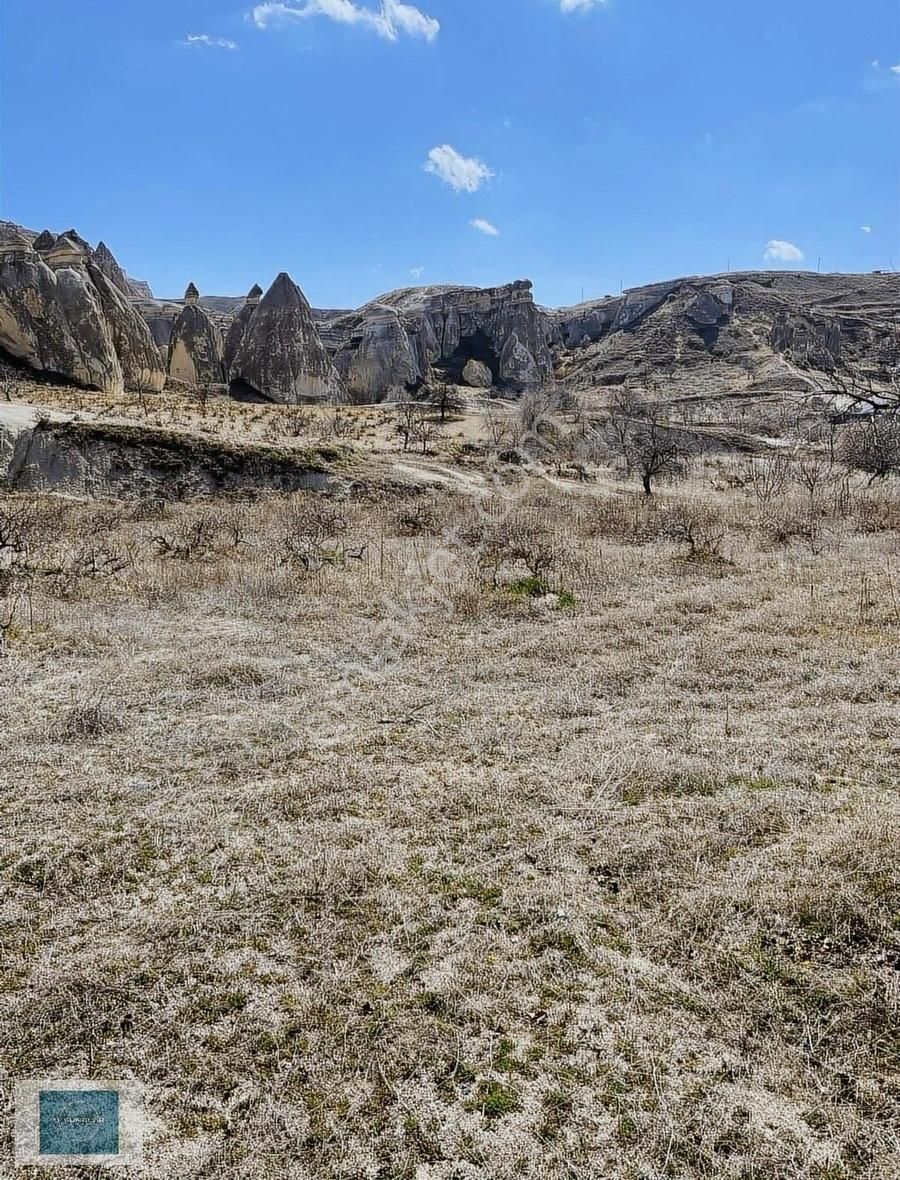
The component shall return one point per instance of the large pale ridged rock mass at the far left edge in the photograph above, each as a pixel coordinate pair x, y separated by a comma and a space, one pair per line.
67, 319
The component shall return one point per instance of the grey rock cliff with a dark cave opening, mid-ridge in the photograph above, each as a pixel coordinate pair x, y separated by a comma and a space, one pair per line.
402, 338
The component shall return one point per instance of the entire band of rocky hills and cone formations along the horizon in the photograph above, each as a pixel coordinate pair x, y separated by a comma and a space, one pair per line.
70, 311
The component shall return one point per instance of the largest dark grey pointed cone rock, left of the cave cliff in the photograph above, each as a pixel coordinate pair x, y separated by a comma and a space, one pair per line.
281, 356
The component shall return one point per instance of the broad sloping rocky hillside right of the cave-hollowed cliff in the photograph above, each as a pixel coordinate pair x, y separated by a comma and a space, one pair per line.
751, 332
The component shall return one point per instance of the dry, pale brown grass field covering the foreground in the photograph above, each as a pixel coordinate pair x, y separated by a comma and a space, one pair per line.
547, 831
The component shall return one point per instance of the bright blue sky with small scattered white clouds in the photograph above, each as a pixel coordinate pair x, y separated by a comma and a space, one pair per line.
370, 145
